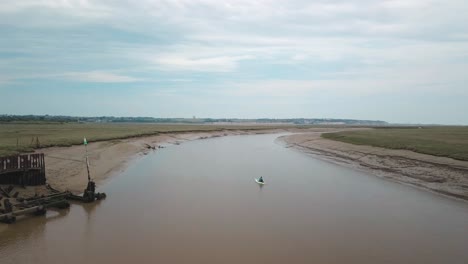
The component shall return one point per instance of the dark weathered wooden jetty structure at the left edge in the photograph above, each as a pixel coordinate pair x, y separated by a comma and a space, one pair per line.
24, 170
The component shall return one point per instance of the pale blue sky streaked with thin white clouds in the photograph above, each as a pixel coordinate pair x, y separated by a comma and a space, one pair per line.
401, 61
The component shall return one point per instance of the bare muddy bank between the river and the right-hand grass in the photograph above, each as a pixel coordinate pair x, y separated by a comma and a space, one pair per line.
437, 174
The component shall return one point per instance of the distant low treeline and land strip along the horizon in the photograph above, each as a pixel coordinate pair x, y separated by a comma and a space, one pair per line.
112, 119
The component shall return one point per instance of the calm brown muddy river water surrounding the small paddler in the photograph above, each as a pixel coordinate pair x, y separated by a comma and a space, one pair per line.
198, 203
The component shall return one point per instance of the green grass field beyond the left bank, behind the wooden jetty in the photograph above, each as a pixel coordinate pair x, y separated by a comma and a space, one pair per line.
66, 134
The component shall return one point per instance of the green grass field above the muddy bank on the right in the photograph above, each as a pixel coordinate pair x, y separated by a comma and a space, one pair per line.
439, 141
